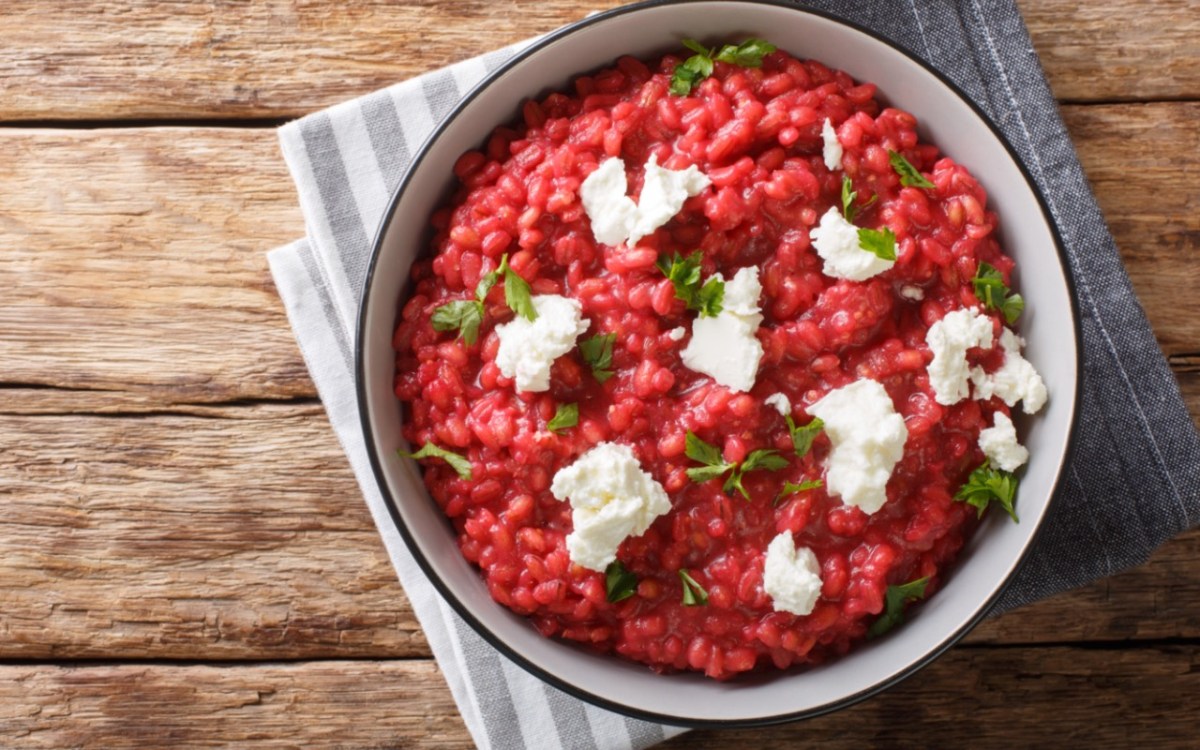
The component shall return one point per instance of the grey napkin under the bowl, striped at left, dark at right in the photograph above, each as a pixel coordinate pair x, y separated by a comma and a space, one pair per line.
1135, 481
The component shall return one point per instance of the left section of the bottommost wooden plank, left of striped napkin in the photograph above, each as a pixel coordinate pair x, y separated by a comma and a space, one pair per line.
316, 705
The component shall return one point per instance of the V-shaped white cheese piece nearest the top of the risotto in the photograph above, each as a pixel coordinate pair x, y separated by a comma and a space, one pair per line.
616, 219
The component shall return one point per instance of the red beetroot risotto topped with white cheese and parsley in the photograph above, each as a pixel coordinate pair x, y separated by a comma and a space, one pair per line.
712, 365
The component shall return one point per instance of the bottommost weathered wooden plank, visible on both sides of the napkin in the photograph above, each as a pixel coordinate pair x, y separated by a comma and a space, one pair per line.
970, 698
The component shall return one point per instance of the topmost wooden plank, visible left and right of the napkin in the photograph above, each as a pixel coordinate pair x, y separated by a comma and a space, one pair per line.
284, 58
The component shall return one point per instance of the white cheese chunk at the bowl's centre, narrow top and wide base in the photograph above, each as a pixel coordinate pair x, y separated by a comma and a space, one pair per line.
725, 347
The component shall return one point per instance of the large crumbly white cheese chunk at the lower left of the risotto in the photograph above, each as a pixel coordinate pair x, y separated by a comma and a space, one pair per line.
611, 499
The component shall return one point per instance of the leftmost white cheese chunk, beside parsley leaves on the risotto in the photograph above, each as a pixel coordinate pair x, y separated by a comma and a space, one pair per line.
529, 349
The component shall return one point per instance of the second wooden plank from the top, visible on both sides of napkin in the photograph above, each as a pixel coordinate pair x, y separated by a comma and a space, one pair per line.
163, 280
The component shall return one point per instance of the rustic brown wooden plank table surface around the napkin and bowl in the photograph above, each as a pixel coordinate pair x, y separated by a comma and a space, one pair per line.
184, 556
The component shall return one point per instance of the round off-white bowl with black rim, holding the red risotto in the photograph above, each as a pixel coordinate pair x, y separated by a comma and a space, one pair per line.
1051, 325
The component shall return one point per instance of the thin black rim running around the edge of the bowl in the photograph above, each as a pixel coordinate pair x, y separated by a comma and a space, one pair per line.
479, 627
